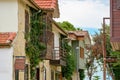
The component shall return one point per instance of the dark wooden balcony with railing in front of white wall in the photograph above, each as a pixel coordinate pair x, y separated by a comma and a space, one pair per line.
58, 57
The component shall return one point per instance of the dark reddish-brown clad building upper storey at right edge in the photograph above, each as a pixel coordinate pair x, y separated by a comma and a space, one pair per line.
115, 24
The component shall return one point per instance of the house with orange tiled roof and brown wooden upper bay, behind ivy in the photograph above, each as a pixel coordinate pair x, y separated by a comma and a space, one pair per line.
50, 10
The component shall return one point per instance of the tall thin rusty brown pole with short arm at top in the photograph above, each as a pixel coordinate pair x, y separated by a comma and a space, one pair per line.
104, 49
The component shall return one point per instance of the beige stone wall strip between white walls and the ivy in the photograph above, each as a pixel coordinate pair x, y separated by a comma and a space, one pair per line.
19, 42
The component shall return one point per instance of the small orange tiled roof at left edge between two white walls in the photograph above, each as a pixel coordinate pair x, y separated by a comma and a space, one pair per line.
6, 37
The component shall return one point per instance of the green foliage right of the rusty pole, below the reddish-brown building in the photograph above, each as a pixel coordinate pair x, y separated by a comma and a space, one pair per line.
115, 67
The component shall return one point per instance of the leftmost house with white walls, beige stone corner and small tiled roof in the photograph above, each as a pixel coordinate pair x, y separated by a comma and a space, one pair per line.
15, 19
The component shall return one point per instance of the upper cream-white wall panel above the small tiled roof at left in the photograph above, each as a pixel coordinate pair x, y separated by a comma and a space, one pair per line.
8, 16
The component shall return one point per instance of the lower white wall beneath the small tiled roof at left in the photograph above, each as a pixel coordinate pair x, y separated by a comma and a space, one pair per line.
6, 61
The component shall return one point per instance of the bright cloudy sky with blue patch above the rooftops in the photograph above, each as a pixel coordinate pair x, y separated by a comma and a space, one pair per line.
86, 14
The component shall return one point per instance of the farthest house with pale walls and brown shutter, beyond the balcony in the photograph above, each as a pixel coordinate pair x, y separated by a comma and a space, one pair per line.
80, 42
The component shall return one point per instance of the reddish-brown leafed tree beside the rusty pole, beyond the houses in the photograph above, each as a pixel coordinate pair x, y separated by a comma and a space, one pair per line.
96, 55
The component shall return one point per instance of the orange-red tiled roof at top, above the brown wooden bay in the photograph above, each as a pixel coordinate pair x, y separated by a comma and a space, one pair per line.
46, 4
